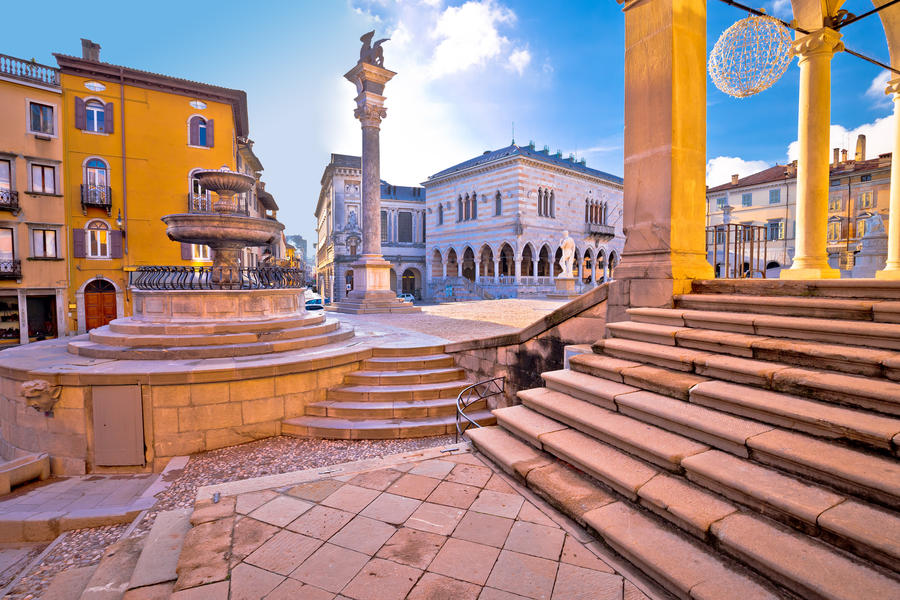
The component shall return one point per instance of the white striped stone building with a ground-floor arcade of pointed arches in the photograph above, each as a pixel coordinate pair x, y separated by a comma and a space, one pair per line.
495, 223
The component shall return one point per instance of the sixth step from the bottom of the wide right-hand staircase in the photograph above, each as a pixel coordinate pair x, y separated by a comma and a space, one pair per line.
851, 390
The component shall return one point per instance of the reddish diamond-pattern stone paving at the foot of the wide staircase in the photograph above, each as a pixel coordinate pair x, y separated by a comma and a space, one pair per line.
424, 525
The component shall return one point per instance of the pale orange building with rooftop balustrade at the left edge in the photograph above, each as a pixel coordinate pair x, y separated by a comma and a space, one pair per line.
32, 211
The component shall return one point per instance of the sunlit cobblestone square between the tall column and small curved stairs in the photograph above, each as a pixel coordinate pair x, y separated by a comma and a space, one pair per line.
459, 321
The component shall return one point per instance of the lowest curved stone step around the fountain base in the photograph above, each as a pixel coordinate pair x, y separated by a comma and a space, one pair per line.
94, 350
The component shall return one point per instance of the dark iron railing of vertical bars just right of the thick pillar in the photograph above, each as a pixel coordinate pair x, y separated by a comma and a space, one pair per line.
744, 250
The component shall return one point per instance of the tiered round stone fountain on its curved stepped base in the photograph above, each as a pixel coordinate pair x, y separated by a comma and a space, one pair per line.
190, 312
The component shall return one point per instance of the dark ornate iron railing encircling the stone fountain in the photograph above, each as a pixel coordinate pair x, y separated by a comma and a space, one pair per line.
216, 278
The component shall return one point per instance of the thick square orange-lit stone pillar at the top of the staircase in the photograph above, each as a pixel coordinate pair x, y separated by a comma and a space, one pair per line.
665, 152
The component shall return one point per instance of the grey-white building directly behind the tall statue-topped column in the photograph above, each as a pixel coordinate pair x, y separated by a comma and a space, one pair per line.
339, 230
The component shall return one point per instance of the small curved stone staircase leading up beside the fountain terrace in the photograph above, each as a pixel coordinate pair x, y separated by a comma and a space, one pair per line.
398, 393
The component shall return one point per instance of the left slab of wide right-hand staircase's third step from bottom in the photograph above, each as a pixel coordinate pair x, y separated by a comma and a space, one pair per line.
655, 445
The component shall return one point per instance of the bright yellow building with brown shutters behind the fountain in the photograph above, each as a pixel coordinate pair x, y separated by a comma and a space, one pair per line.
132, 141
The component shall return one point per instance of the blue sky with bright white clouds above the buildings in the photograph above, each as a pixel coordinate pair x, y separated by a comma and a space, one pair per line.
469, 74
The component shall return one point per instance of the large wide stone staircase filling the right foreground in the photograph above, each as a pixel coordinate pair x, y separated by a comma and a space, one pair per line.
734, 446
